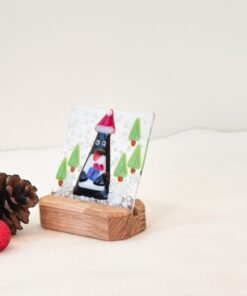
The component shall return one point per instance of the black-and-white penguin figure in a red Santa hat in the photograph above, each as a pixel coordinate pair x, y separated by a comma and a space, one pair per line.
94, 178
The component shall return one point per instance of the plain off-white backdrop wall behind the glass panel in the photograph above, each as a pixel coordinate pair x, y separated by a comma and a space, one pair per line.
184, 60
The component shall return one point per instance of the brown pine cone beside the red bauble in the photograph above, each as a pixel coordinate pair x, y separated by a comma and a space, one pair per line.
16, 197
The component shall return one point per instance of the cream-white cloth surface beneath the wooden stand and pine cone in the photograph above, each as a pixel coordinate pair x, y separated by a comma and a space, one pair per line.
194, 187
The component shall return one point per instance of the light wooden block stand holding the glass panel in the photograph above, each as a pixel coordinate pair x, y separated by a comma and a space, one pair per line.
91, 219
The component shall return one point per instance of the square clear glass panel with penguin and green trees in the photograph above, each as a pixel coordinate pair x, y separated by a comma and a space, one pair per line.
104, 156
